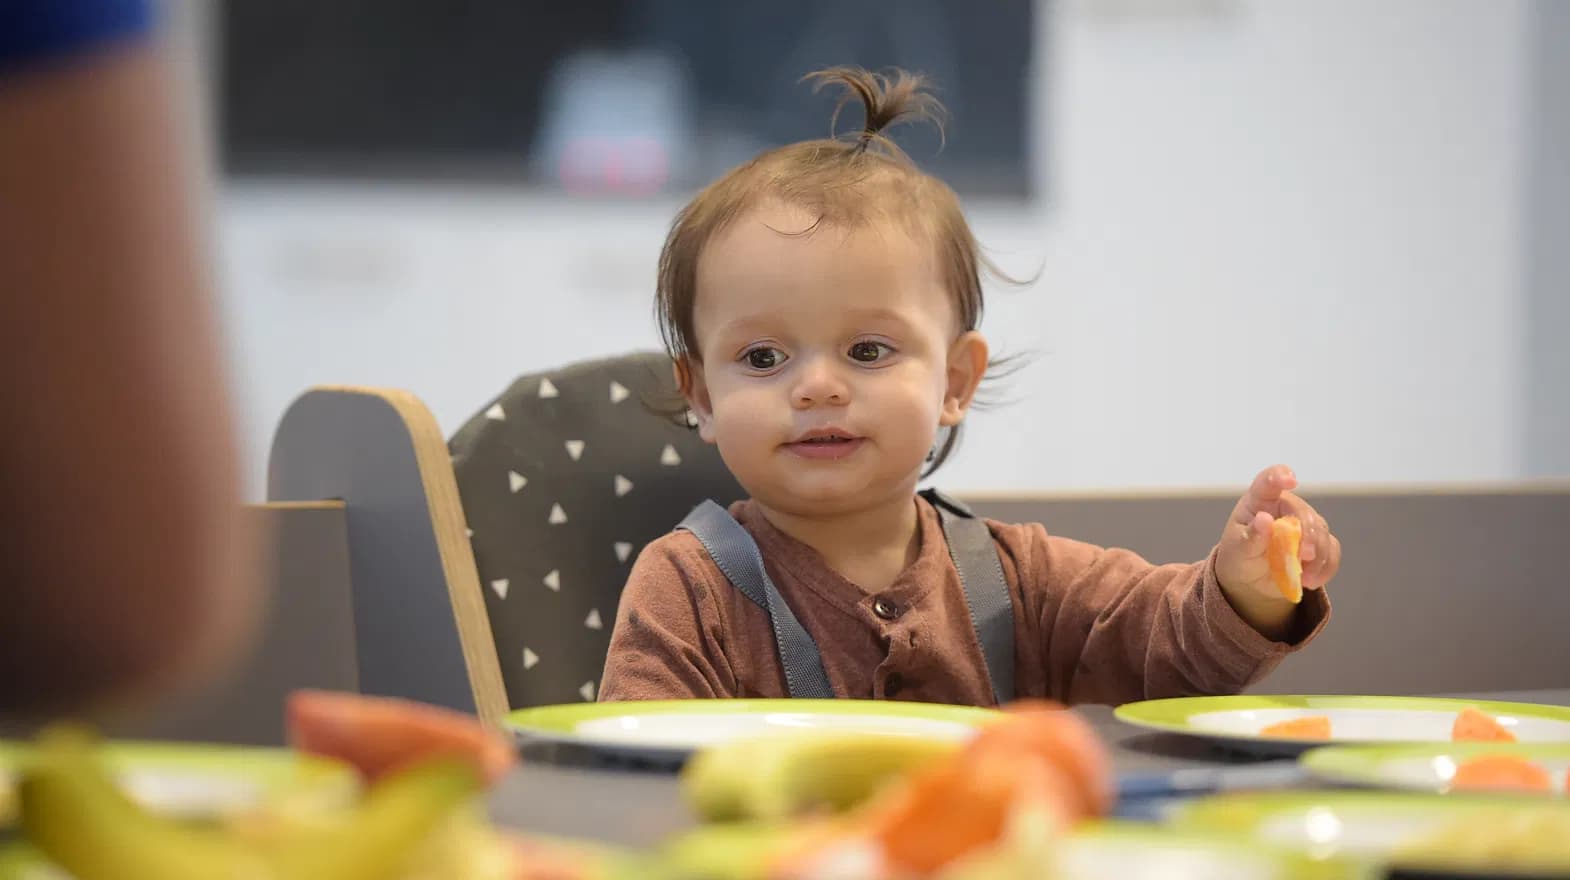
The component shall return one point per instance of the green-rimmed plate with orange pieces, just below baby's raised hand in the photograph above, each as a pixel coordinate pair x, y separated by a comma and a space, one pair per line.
1238, 721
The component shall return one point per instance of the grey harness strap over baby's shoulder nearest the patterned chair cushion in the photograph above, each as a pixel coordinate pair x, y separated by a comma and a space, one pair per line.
737, 556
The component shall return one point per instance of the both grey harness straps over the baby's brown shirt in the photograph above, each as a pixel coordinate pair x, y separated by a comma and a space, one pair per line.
969, 545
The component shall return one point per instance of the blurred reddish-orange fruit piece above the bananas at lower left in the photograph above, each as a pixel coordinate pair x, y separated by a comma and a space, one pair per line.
381, 735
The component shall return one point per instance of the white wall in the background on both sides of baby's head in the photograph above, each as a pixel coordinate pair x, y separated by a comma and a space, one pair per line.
1285, 231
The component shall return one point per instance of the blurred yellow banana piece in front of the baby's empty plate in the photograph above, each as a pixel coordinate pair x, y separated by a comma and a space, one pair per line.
778, 777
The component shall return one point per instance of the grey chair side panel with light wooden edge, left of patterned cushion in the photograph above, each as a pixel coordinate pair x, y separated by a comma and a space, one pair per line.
418, 616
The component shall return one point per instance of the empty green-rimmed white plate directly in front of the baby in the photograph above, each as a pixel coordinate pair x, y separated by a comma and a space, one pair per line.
674, 729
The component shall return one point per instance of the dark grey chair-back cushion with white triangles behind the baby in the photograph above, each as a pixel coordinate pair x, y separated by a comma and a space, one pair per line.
564, 478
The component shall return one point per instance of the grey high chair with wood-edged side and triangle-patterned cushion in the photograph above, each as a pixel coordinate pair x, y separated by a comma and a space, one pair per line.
486, 575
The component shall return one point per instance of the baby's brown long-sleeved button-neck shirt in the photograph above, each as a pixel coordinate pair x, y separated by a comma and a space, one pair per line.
1090, 625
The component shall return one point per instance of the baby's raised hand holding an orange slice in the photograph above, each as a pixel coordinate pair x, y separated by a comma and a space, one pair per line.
1243, 561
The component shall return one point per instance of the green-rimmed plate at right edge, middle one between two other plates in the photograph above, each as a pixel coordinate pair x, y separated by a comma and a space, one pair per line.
1426, 768
